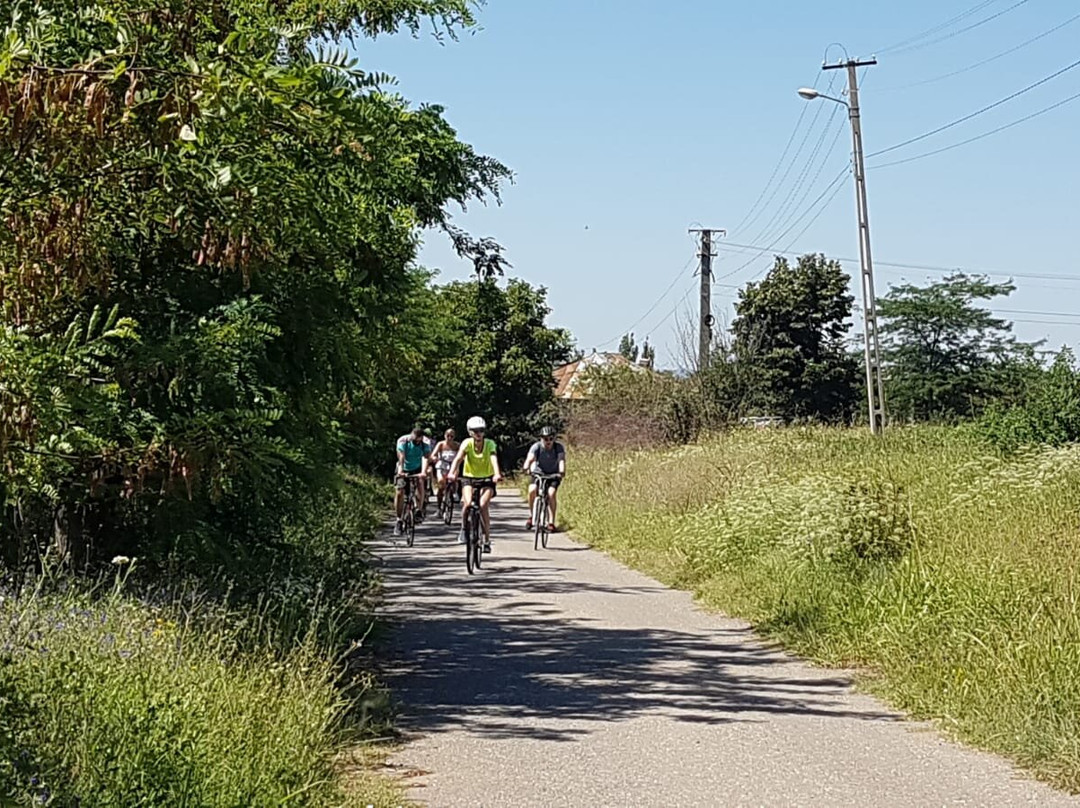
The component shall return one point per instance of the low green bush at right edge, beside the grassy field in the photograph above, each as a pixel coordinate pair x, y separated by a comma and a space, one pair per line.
1048, 412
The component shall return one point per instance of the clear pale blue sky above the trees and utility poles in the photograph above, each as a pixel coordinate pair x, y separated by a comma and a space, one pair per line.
627, 123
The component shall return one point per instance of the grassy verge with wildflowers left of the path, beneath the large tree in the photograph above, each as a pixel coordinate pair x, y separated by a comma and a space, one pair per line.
140, 690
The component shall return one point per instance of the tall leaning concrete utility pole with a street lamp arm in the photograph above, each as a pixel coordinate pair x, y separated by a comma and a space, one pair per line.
875, 389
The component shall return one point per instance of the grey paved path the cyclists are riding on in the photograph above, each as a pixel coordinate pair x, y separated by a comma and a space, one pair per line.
560, 678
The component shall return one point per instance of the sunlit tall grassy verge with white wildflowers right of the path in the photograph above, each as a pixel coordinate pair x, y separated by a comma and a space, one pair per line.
948, 573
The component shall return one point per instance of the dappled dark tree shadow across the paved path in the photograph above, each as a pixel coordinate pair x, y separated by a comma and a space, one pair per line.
494, 655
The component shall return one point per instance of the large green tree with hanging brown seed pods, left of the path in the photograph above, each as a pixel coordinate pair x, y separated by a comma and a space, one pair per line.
210, 217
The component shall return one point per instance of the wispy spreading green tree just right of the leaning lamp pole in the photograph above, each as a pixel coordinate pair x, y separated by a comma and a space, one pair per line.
944, 356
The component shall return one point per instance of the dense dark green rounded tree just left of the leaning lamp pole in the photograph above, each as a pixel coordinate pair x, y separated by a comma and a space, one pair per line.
789, 334
